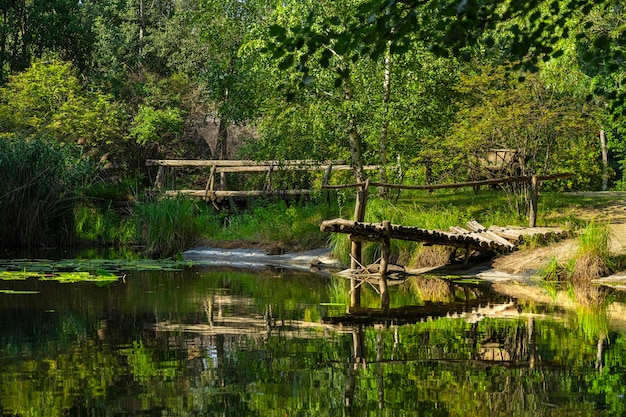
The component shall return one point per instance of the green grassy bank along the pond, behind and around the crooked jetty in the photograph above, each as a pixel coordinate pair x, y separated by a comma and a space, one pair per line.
167, 227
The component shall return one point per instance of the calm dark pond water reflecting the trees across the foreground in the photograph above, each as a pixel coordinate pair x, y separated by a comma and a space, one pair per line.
220, 342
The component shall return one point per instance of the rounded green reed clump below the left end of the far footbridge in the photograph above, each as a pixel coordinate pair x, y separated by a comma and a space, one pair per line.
169, 226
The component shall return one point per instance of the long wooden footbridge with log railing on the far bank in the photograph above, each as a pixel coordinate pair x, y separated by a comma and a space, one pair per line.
216, 184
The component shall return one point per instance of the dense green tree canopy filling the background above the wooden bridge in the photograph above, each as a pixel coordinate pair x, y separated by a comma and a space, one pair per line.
396, 83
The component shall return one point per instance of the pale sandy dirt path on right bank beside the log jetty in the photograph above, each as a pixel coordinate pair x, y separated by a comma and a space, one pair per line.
528, 260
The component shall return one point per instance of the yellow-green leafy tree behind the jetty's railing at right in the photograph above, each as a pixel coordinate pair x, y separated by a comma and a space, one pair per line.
547, 131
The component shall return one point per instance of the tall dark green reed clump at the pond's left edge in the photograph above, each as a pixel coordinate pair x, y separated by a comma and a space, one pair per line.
41, 180
